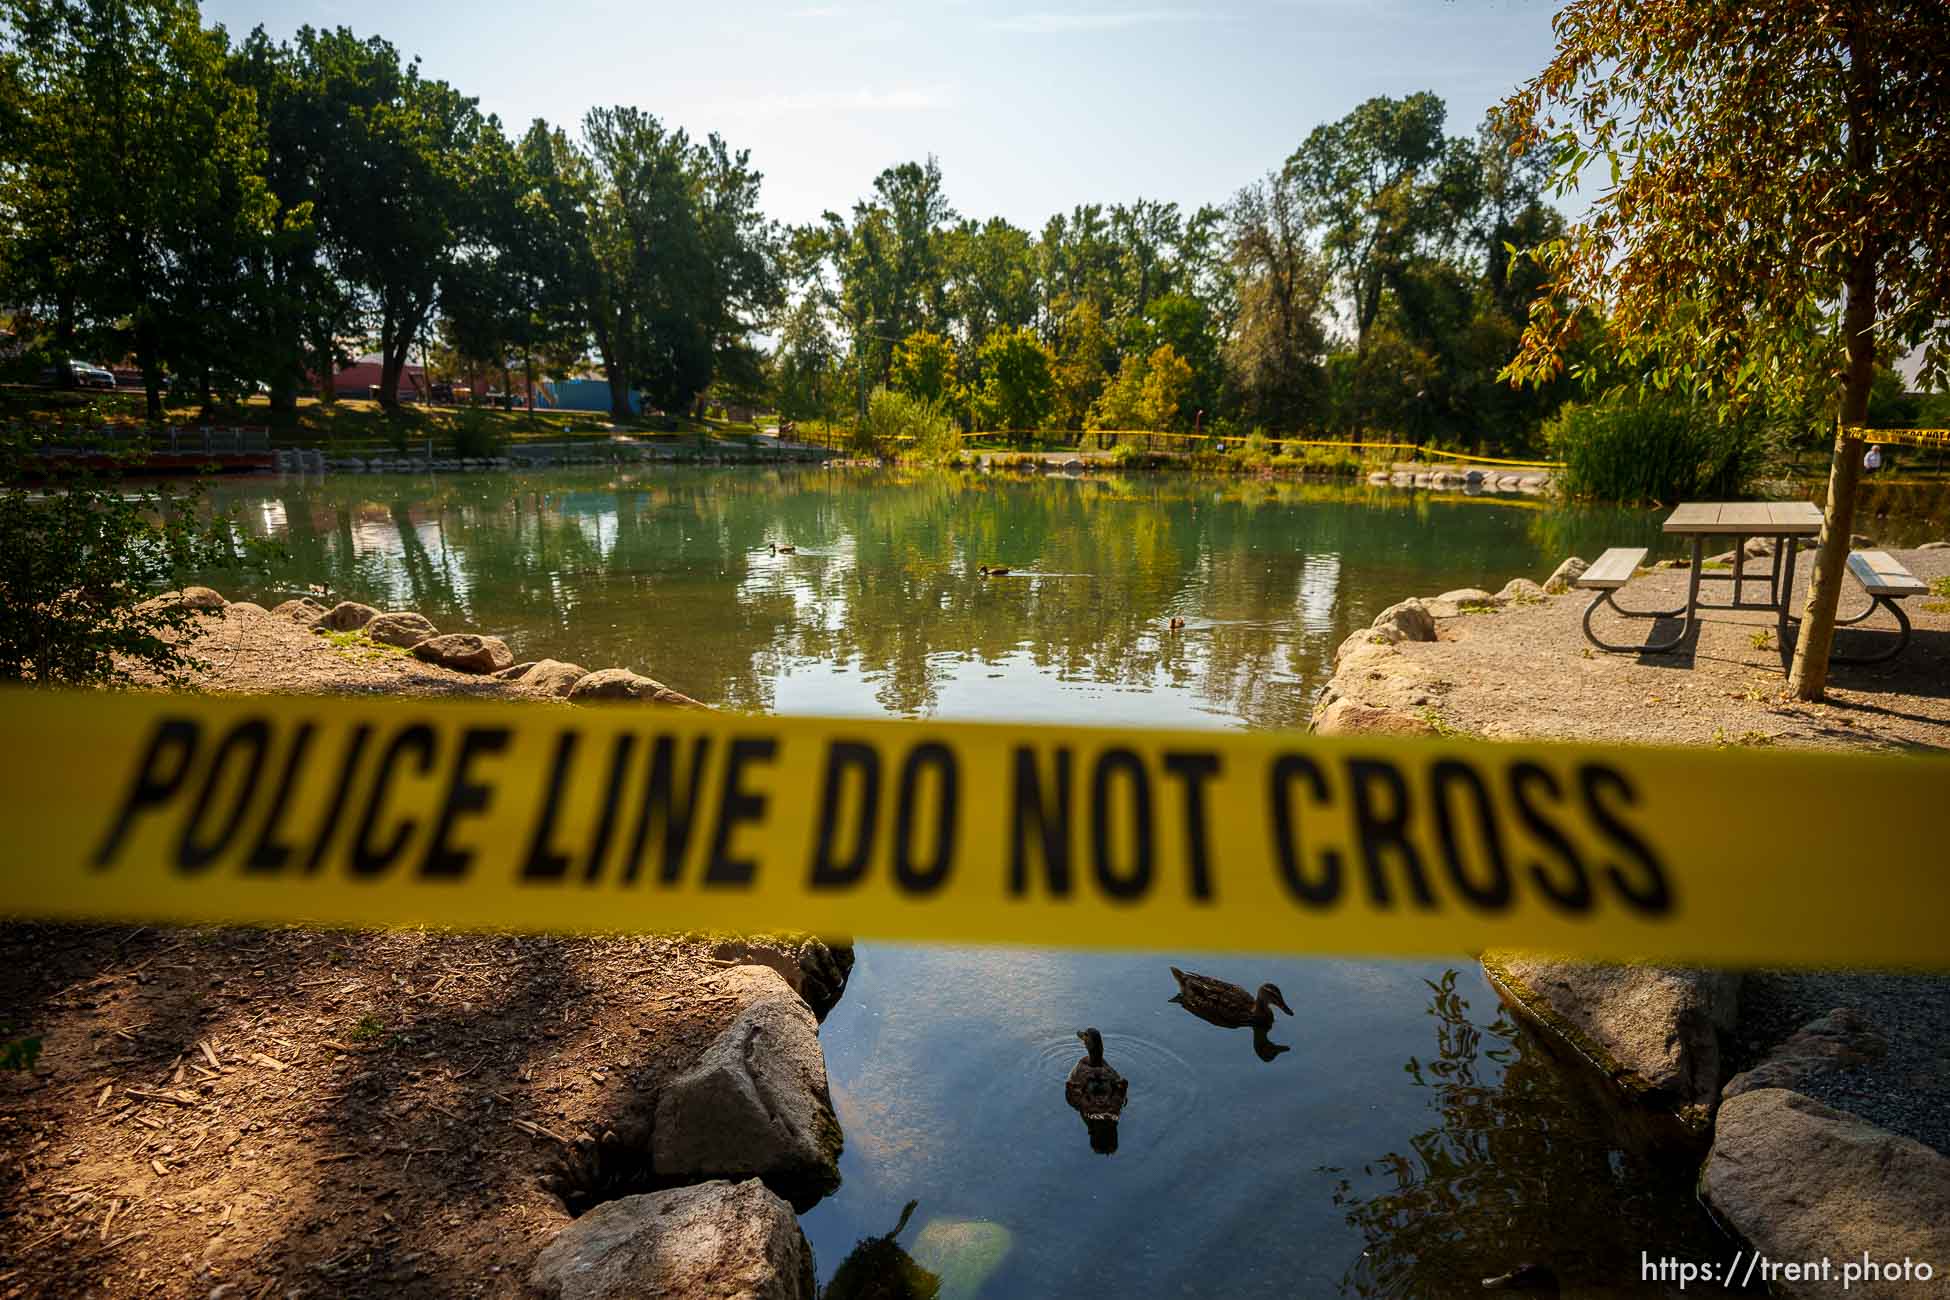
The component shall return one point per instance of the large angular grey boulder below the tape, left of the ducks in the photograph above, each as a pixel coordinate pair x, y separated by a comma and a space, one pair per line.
756, 1104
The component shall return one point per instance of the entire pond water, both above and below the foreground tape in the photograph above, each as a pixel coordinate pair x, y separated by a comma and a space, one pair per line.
1411, 1143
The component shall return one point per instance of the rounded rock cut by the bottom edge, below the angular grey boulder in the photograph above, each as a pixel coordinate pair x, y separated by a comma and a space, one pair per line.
713, 1241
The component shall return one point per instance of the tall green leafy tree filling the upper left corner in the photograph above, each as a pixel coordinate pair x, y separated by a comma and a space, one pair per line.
134, 180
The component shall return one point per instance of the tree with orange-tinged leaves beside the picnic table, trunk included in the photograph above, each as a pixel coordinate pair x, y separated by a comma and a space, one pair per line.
1775, 211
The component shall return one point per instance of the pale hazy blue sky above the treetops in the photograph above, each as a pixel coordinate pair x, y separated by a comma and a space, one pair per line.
1033, 106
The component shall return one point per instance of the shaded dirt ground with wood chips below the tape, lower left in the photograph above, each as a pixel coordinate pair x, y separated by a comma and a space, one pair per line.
321, 1114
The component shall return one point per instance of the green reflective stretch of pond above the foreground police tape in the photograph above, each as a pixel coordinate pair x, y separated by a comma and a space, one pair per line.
841, 593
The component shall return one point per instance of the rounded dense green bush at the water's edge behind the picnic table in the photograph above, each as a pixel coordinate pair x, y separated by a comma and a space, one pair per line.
1653, 449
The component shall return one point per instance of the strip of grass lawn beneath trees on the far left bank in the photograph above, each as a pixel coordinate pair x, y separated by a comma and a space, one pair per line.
346, 426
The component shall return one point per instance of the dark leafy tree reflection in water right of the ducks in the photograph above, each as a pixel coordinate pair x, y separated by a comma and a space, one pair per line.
1524, 1166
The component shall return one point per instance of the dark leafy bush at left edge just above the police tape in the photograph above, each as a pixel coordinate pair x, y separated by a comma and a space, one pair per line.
83, 564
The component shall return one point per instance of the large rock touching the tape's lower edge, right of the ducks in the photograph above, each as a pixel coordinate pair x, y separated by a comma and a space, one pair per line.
1655, 1030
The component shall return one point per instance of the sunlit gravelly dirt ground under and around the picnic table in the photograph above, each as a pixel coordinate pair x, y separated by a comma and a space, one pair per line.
1528, 671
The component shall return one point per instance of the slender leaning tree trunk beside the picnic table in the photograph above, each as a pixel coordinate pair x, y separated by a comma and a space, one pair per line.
1809, 677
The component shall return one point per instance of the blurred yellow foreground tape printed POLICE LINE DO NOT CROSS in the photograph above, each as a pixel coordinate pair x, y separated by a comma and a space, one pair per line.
490, 816
